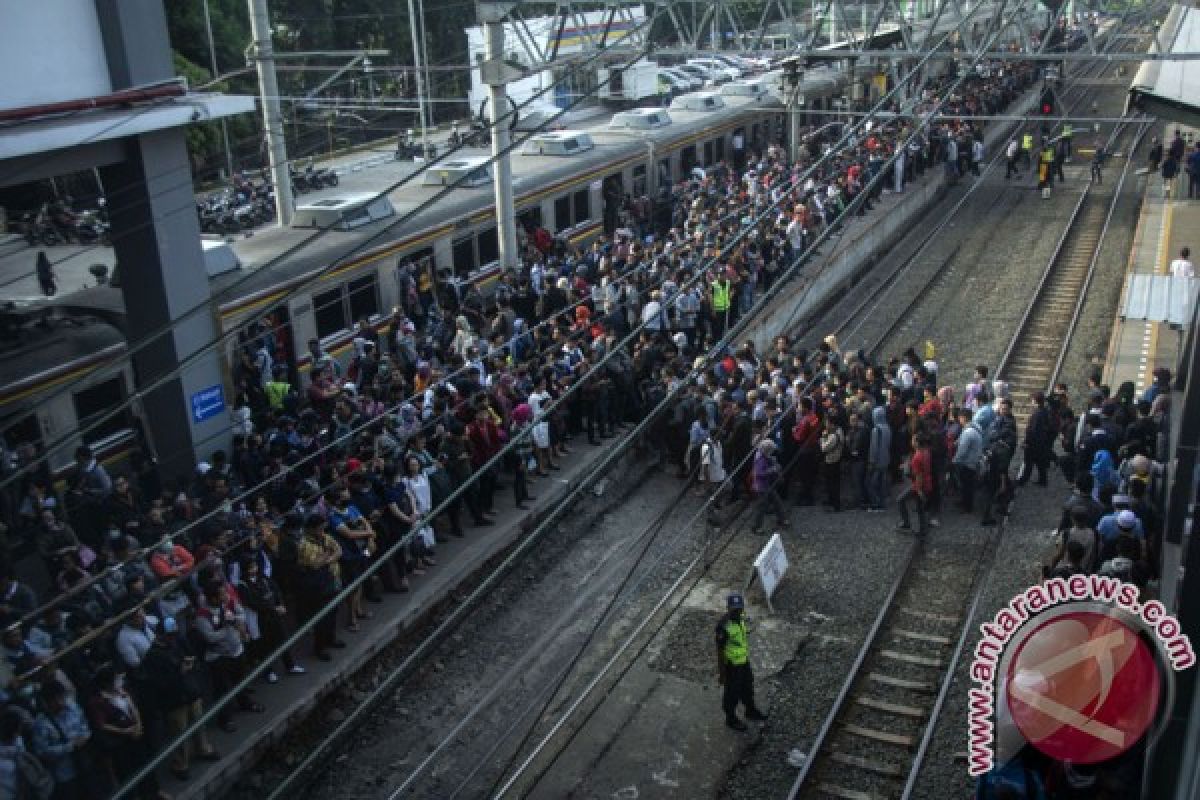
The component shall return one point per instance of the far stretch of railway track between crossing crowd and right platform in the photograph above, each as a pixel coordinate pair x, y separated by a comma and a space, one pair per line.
1035, 356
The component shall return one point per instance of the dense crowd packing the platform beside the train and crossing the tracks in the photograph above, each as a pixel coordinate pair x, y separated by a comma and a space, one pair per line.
367, 462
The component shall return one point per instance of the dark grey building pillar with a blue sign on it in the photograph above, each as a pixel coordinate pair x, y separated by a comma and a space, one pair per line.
157, 239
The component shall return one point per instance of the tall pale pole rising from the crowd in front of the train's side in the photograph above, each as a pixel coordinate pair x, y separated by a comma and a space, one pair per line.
496, 74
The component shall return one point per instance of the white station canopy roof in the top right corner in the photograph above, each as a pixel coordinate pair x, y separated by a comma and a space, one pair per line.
1172, 89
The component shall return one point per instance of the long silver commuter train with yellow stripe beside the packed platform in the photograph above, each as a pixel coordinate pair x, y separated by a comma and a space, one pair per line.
283, 280
